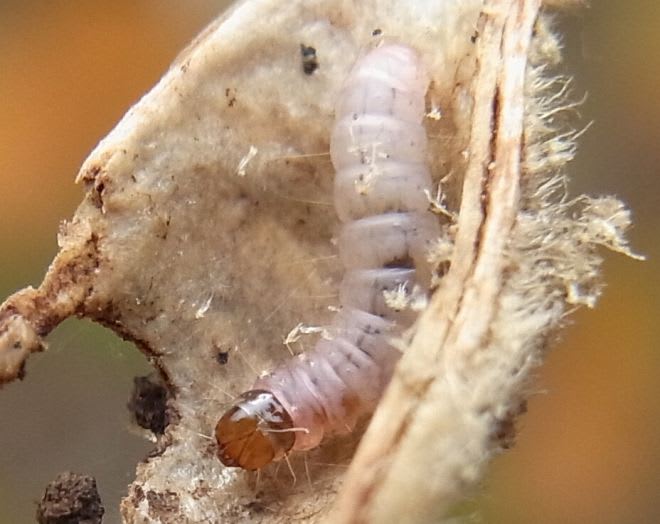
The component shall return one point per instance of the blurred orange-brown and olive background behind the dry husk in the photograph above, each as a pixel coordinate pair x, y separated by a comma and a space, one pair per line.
589, 449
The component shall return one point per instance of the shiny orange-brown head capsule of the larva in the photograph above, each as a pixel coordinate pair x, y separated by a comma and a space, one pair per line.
254, 432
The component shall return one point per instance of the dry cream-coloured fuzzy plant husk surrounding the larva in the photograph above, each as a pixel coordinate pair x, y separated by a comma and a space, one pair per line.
206, 229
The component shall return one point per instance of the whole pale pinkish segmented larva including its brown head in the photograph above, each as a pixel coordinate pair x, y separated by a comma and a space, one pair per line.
378, 148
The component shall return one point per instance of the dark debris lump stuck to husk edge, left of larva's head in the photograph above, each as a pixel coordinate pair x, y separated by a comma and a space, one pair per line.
148, 404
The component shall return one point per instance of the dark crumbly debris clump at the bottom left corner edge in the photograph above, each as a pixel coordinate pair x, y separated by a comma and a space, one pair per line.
70, 499
